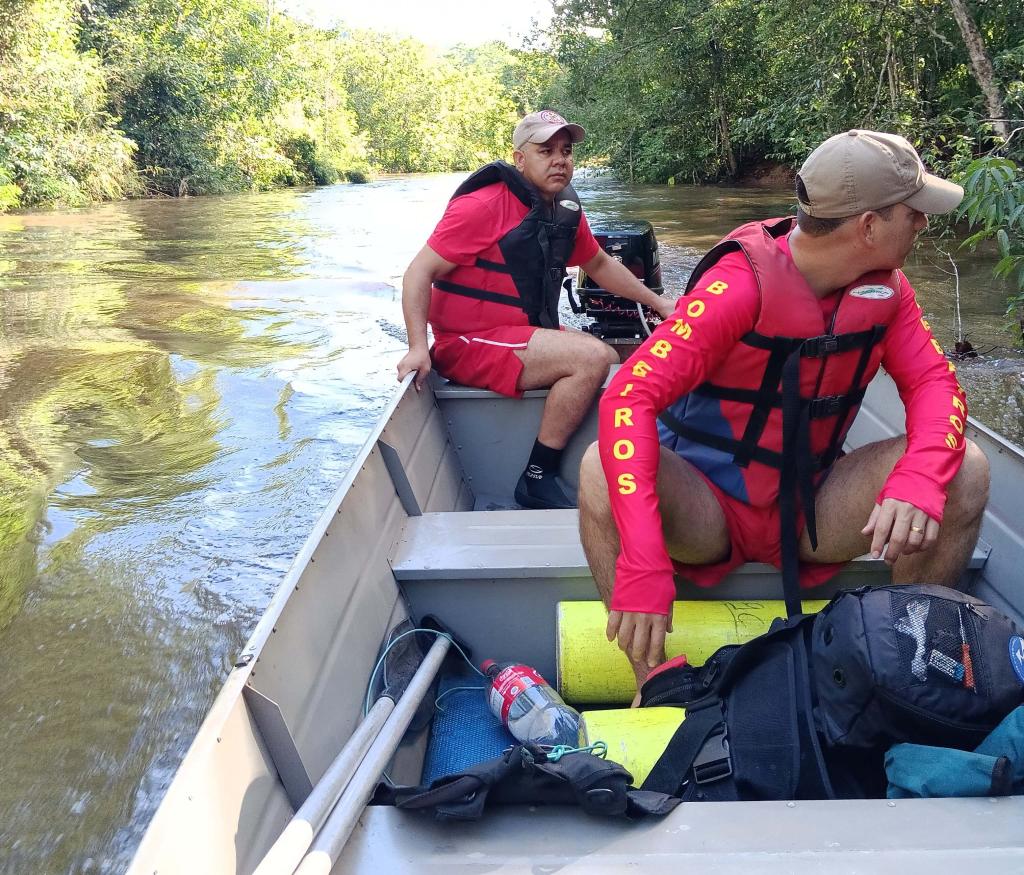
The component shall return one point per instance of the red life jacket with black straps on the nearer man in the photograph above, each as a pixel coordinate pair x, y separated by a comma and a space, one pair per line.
776, 413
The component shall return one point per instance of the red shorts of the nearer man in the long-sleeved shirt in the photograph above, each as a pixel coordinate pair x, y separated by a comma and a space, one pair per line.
754, 537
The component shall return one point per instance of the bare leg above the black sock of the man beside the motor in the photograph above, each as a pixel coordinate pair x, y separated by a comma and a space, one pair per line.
574, 365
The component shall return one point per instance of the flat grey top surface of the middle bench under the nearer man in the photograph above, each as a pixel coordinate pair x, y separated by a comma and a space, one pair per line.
508, 545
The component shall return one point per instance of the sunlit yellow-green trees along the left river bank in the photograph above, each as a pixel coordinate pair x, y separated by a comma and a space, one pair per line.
113, 98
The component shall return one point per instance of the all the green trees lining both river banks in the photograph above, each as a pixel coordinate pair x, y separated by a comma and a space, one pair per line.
106, 99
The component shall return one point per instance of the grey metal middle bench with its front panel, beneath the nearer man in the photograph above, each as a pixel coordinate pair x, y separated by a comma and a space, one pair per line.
475, 571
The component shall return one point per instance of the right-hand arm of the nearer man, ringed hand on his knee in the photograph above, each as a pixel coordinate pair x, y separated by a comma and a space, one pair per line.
915, 494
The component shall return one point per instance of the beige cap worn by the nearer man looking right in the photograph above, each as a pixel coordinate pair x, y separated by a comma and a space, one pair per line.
863, 171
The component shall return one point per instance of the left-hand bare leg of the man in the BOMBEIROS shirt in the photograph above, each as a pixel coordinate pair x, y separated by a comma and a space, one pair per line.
693, 522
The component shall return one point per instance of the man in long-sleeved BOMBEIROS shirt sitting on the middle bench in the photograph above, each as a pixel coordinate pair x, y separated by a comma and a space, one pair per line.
720, 440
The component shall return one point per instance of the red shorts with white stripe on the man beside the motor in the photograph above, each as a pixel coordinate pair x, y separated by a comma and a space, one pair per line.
486, 360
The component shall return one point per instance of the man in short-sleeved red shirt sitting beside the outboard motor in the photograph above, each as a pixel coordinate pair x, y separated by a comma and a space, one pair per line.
489, 281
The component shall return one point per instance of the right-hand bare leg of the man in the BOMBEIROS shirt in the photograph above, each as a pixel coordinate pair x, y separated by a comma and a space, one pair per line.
847, 497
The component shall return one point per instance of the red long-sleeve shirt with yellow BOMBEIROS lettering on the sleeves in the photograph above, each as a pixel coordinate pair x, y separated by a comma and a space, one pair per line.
936, 416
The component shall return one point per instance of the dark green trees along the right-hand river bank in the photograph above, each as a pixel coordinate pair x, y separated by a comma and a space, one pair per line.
696, 93
